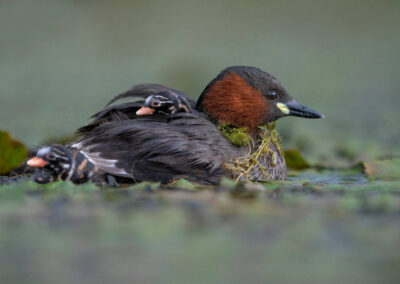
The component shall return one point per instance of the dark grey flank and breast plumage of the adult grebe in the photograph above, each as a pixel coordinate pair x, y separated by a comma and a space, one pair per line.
184, 145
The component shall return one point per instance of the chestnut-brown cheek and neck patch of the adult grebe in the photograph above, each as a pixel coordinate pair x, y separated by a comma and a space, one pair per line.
232, 100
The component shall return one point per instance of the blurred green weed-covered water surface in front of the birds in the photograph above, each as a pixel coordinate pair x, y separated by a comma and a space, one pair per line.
317, 227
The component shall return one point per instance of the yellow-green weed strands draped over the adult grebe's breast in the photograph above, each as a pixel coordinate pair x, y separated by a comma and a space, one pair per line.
266, 137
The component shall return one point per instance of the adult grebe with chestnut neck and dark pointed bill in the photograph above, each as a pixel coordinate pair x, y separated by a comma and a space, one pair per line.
169, 146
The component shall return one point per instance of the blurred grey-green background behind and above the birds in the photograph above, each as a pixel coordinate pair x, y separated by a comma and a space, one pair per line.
61, 61
